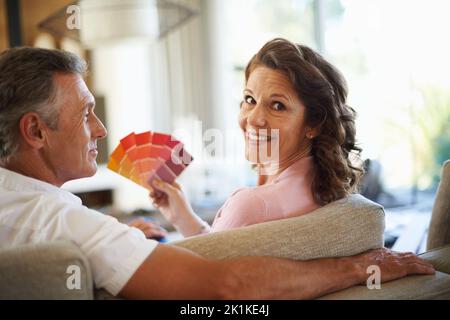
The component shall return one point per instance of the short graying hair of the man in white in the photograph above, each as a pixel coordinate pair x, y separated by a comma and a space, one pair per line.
26, 85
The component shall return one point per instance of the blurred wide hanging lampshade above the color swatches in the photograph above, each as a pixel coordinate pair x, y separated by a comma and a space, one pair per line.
109, 21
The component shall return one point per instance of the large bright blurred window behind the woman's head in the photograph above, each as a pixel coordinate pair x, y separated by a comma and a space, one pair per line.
395, 58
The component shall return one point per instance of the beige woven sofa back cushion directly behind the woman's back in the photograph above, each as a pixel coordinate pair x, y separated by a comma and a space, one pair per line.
342, 228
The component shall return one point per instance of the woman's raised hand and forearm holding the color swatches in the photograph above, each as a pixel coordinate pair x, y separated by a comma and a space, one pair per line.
173, 204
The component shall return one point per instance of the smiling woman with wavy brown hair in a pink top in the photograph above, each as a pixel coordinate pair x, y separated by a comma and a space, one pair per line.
296, 100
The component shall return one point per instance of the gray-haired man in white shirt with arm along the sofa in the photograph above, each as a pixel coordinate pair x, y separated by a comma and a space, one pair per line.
48, 136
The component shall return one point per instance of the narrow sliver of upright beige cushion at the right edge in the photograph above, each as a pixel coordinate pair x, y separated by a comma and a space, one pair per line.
439, 232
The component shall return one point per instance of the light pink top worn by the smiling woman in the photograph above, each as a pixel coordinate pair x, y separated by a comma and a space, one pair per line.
288, 196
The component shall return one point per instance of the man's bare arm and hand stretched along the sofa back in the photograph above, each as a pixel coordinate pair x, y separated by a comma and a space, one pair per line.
174, 273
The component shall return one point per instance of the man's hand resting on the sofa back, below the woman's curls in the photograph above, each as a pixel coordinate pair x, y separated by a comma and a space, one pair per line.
393, 265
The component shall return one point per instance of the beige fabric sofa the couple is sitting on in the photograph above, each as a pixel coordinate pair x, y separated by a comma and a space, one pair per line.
342, 228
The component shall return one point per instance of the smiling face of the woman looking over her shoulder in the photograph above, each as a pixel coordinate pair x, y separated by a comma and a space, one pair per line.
271, 102
